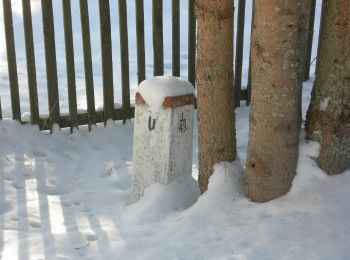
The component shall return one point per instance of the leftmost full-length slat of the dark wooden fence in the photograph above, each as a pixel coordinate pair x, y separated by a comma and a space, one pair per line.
11, 60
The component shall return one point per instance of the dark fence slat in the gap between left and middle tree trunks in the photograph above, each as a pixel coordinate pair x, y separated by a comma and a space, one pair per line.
239, 51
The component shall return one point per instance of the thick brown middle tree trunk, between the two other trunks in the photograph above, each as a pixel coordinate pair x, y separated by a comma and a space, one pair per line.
278, 41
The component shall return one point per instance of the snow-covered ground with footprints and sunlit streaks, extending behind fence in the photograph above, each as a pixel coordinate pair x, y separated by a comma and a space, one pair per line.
67, 196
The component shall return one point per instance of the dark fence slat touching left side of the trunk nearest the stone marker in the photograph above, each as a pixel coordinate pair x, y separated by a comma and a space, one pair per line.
191, 42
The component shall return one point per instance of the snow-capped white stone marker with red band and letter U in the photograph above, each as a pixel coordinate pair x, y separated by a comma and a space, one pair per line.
163, 131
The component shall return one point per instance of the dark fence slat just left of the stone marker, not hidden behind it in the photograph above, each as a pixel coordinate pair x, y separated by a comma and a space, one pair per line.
124, 54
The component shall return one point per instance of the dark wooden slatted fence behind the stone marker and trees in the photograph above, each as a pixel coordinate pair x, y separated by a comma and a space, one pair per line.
74, 119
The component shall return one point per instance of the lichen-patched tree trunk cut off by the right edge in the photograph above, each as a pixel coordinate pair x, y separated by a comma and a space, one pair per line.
328, 116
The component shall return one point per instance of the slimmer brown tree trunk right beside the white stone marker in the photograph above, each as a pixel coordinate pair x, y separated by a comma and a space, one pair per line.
214, 75
